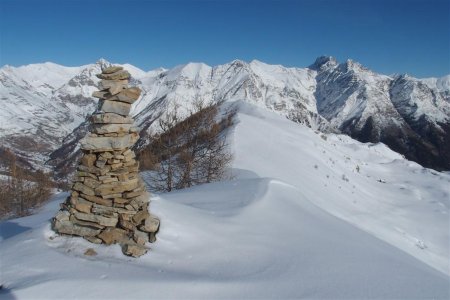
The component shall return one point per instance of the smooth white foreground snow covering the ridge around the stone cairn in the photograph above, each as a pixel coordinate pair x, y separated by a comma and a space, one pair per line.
279, 229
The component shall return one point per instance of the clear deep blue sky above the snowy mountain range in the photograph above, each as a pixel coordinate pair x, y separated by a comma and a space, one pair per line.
388, 36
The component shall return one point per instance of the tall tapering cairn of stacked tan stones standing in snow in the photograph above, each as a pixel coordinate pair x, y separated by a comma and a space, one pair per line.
108, 203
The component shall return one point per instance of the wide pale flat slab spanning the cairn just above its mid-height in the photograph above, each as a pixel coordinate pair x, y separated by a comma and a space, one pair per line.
101, 143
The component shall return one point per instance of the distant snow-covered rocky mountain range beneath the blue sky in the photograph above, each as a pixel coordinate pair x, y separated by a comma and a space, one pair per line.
411, 116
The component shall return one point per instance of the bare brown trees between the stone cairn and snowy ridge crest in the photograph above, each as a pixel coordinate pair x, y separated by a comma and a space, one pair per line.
188, 152
